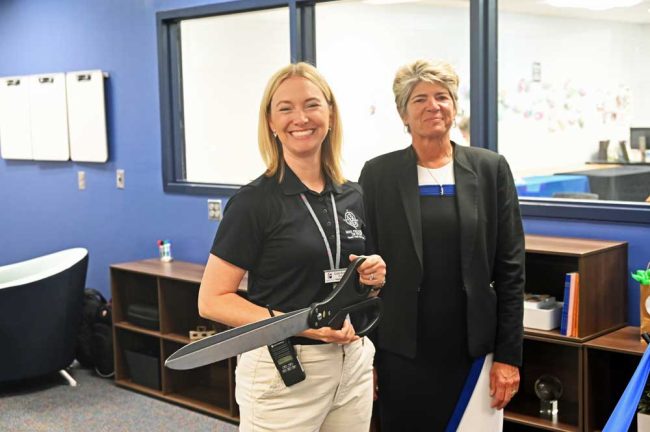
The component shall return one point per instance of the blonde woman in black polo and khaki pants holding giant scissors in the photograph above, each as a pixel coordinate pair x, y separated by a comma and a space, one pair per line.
290, 228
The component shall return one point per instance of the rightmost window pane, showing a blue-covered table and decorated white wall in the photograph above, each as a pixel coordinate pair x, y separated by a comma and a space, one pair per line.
574, 99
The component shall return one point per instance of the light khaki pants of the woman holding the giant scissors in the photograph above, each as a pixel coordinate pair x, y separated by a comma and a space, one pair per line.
336, 396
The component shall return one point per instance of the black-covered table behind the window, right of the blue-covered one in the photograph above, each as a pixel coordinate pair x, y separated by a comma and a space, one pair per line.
621, 183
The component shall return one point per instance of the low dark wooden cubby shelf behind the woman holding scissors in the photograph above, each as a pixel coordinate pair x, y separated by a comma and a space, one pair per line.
171, 289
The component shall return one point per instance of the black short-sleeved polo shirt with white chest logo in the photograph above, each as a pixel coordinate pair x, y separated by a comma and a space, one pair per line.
268, 230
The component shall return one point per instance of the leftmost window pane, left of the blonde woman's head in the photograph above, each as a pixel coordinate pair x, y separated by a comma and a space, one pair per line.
221, 89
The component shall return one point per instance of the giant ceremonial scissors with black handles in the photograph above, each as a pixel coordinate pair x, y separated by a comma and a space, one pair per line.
348, 296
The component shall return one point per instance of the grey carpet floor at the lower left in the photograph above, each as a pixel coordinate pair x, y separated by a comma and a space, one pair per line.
96, 404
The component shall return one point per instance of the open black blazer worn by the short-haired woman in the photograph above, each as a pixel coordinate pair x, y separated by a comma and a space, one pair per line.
492, 249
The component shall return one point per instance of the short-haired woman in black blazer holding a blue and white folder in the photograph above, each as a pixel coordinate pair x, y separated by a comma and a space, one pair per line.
446, 220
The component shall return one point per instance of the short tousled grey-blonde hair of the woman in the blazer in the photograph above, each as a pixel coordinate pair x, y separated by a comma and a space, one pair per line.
409, 75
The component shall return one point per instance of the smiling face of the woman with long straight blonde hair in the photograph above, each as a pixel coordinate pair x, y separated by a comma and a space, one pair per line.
300, 115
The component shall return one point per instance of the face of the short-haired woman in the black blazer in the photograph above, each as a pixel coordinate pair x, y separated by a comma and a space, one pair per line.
430, 111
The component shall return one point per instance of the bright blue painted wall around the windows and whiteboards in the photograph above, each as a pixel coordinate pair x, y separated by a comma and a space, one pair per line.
42, 211
